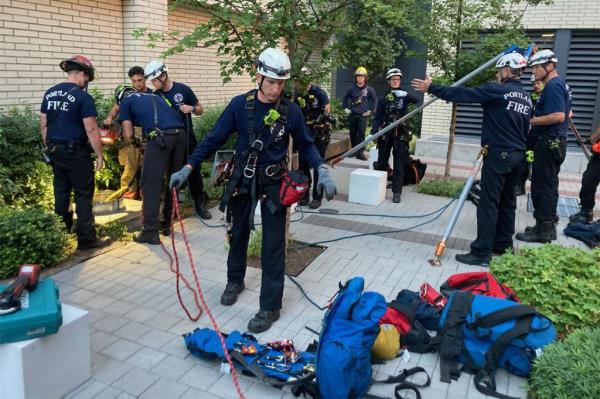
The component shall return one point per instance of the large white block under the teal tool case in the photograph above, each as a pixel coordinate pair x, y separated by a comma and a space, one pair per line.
48, 367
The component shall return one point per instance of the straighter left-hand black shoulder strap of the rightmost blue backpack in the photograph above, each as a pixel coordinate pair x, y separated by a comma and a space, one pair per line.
451, 341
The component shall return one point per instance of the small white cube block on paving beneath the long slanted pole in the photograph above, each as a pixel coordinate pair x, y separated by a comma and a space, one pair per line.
367, 186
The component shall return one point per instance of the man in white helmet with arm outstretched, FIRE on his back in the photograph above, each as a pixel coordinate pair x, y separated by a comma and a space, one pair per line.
506, 113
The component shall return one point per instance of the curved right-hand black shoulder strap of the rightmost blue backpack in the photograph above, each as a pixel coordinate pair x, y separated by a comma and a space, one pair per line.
485, 381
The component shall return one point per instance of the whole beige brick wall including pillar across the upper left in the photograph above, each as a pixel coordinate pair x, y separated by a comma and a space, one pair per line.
36, 34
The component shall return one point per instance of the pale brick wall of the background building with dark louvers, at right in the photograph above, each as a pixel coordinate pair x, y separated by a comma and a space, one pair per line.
562, 14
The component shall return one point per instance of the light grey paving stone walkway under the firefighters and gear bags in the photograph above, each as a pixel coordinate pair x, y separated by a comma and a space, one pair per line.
137, 322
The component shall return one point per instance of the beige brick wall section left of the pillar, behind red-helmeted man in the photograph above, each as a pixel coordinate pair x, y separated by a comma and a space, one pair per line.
36, 34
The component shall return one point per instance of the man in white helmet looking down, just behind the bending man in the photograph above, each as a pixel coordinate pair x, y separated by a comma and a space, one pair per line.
183, 99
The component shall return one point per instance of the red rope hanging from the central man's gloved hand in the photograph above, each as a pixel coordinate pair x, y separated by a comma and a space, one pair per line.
213, 321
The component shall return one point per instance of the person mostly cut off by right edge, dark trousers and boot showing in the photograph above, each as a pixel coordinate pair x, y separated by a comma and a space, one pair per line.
589, 184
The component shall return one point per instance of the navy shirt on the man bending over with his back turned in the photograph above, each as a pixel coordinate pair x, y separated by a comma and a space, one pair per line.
138, 108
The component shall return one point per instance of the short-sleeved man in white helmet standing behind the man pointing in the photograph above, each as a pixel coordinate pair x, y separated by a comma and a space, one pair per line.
549, 130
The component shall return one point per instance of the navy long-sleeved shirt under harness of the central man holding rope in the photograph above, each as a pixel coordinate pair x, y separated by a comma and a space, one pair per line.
234, 119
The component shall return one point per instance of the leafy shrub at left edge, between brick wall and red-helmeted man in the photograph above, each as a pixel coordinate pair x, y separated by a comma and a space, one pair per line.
25, 180
